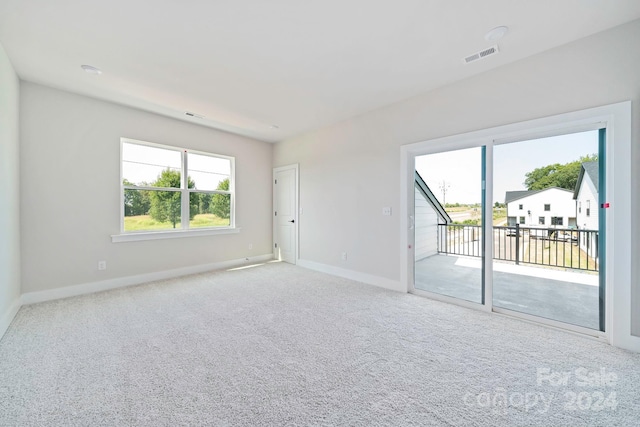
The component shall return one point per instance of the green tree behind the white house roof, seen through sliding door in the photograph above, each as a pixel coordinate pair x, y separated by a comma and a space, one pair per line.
556, 175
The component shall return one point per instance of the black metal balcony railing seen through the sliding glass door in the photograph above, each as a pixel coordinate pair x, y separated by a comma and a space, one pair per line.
554, 247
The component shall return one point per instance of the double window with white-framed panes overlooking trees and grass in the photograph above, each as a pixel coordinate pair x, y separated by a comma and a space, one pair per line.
168, 188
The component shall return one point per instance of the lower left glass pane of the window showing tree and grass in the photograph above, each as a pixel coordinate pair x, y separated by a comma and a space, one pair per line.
151, 210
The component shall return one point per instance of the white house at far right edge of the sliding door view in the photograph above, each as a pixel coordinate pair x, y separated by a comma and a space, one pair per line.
586, 197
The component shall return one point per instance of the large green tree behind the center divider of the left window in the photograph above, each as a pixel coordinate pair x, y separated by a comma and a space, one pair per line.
166, 205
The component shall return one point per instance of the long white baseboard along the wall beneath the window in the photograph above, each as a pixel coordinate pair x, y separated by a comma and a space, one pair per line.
120, 282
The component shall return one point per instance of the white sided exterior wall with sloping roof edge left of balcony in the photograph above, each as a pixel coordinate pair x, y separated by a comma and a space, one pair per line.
428, 214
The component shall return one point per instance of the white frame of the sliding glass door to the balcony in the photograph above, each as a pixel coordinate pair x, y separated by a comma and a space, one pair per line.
616, 118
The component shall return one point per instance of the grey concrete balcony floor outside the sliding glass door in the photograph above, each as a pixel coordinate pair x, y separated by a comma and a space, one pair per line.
566, 296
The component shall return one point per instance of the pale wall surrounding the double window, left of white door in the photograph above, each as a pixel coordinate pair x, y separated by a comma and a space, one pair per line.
70, 205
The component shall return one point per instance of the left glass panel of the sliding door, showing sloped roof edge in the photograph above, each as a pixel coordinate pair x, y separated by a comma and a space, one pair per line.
448, 203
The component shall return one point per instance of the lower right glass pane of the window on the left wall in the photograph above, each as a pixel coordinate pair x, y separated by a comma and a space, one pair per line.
209, 210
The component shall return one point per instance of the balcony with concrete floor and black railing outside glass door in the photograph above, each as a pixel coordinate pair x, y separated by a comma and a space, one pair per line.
546, 272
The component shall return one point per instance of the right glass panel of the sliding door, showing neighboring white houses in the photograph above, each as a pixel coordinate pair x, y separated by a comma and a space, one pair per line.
546, 258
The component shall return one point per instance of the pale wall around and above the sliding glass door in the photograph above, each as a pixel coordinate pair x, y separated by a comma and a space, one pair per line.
350, 170
